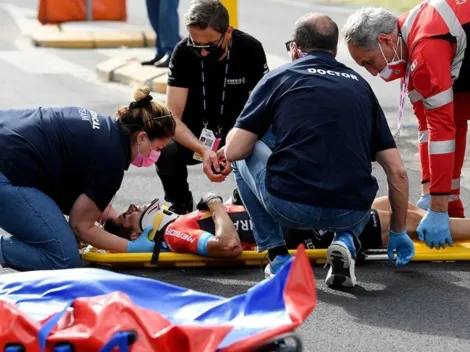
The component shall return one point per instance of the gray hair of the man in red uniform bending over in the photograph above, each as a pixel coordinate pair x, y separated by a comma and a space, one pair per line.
364, 26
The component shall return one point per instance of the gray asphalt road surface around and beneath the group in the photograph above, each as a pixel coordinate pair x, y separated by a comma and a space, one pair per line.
423, 307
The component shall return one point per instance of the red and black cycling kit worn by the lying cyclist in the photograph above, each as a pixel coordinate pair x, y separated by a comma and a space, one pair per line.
187, 232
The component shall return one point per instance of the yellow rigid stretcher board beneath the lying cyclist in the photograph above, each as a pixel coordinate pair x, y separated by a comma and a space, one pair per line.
460, 252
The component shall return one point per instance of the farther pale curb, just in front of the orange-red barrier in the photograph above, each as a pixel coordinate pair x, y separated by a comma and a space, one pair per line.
52, 36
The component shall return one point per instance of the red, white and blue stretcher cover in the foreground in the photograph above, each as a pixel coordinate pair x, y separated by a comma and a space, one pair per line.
97, 310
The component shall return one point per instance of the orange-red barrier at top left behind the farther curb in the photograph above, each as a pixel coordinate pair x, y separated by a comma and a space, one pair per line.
59, 11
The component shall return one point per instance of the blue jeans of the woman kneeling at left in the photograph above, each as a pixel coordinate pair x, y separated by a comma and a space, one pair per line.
40, 236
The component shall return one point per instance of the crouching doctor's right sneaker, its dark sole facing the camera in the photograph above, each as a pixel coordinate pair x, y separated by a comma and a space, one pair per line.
340, 258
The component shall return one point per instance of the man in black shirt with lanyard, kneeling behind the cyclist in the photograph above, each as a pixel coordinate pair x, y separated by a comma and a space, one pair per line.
211, 75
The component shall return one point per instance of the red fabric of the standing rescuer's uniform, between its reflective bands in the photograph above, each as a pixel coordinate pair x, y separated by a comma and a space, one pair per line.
431, 61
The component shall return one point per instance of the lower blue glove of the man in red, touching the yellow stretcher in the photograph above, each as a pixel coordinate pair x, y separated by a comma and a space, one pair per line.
434, 229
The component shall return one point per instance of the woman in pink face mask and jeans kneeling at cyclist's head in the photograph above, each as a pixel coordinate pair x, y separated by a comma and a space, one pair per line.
71, 161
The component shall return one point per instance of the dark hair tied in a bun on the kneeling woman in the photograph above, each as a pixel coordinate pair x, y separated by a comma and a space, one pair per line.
143, 114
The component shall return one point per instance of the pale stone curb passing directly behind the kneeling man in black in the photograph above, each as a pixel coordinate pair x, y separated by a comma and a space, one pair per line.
129, 71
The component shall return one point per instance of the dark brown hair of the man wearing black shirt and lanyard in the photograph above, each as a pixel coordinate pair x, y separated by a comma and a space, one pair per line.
207, 13
